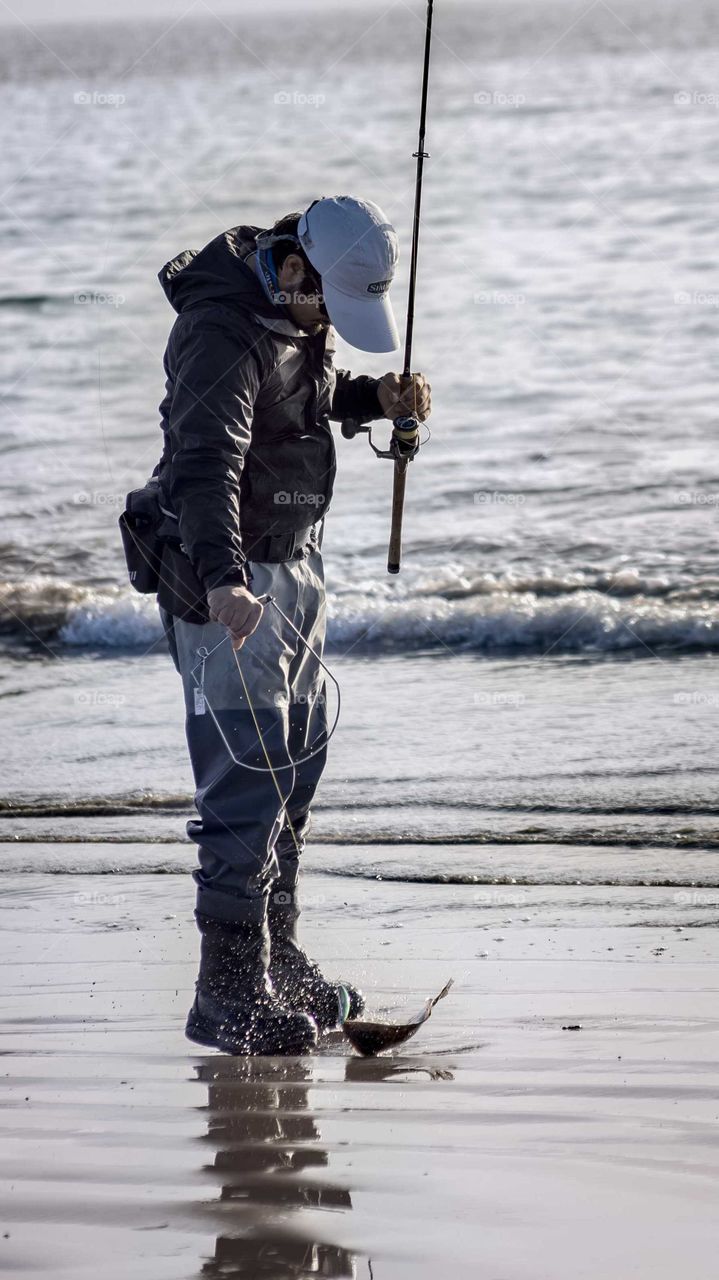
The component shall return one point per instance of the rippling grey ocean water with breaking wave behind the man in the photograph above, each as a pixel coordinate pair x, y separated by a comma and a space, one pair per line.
539, 685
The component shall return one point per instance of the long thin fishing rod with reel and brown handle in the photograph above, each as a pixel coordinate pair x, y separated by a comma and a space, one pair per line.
405, 442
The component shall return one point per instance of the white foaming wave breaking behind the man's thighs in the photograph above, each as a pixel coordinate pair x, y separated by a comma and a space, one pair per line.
447, 611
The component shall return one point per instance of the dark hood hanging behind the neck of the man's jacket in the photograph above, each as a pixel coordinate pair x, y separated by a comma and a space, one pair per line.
219, 273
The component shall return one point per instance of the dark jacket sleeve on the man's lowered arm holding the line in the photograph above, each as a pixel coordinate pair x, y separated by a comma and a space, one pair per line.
217, 380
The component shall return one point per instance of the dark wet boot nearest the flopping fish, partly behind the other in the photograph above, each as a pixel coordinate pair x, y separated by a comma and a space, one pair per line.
297, 981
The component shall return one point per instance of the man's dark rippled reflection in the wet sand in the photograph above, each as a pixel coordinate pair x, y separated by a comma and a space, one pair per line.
267, 1144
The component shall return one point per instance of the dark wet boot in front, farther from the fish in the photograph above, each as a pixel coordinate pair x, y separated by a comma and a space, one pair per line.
236, 1009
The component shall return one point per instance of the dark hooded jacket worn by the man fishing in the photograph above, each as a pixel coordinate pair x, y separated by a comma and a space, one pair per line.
249, 449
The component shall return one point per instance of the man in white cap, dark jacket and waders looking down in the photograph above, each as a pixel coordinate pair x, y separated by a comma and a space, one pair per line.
246, 482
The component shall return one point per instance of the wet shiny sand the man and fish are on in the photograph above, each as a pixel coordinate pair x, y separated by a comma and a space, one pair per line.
498, 1146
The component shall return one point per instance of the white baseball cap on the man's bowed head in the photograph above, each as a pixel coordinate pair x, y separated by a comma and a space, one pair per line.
355, 250
